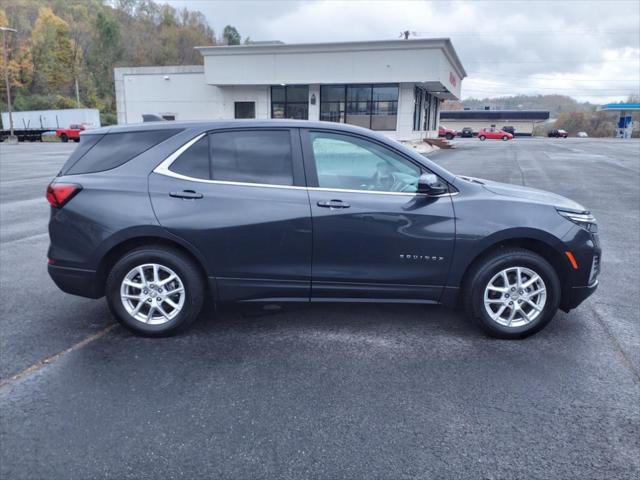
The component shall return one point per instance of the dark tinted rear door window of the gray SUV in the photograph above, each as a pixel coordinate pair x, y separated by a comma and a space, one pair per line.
248, 156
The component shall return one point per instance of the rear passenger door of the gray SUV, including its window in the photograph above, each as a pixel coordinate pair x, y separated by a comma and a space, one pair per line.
239, 197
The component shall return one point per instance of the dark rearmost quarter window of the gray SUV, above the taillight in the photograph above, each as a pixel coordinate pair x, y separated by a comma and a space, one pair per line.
115, 149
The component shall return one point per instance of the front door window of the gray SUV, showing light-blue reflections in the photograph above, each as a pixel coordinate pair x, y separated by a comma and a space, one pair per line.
352, 163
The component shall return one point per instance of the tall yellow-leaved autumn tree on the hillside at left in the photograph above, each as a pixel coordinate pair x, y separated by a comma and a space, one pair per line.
52, 51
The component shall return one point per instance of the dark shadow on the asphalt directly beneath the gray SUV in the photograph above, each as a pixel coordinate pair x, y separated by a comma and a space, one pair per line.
373, 320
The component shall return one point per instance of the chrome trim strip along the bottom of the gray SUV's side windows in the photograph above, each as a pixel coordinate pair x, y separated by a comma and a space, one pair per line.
163, 169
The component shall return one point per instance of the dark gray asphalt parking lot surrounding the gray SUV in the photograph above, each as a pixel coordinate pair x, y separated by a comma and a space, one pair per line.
327, 391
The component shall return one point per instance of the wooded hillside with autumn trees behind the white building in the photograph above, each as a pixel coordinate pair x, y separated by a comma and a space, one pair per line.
66, 50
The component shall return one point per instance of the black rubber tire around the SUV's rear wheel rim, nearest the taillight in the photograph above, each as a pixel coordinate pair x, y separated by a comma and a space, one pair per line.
186, 269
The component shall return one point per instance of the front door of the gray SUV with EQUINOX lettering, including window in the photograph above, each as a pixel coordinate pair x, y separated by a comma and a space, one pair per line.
373, 235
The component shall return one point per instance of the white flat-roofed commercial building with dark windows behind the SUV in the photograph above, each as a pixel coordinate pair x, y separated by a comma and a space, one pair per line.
395, 86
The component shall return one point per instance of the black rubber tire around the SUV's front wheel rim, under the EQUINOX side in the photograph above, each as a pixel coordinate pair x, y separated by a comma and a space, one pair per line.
486, 268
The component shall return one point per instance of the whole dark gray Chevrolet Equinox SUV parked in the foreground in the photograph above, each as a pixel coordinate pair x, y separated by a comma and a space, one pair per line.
160, 217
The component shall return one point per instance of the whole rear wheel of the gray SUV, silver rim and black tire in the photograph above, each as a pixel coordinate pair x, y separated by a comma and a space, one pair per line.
155, 290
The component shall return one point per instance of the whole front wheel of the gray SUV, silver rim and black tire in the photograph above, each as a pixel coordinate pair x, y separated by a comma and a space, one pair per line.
513, 293
